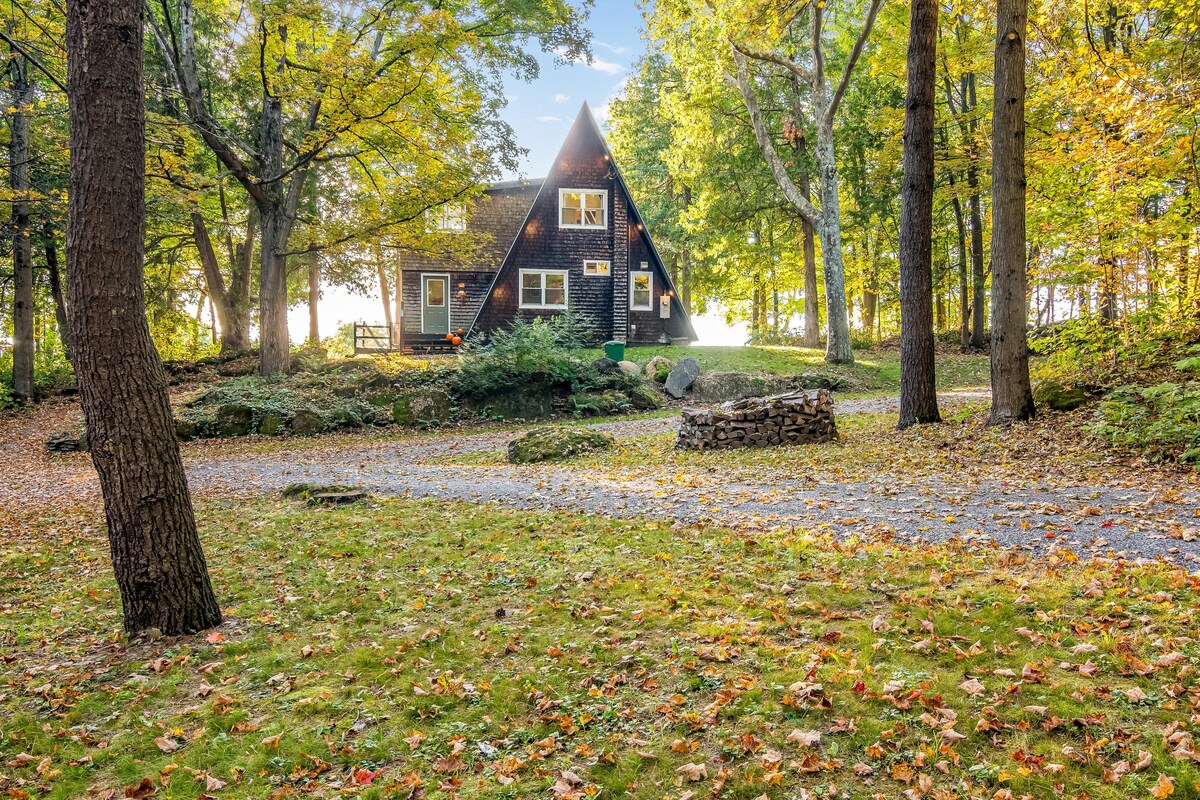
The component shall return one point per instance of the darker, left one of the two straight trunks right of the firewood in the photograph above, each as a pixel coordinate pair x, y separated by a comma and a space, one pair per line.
919, 388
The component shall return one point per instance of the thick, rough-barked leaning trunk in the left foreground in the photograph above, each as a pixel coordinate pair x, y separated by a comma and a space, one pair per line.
152, 530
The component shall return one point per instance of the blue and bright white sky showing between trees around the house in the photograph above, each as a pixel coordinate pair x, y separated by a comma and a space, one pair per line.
541, 115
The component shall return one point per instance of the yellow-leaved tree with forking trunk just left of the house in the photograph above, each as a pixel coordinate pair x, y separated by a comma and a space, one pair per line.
371, 82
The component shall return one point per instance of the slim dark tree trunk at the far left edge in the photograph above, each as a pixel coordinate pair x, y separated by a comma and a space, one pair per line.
22, 246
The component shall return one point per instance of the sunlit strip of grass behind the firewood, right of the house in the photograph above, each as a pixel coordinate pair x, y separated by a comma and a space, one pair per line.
874, 371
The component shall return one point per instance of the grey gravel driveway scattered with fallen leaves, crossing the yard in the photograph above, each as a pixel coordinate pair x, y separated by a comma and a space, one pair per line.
1090, 520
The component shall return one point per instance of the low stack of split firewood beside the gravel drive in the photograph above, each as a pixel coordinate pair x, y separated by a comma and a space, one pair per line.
796, 418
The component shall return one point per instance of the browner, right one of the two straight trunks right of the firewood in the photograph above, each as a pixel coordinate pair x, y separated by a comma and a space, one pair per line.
1012, 399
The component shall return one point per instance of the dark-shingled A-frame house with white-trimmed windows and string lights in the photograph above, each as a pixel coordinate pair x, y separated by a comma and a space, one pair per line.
573, 240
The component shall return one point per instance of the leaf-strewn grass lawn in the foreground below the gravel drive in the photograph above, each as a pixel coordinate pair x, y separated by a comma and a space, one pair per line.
401, 649
